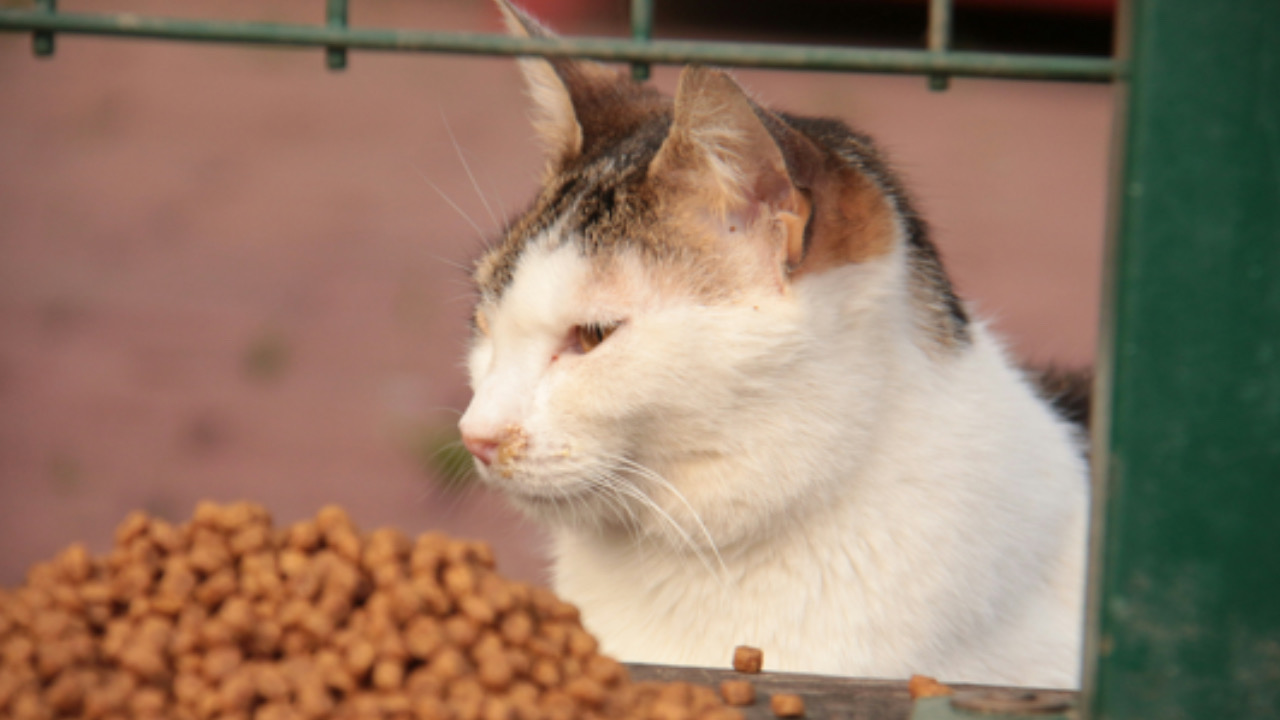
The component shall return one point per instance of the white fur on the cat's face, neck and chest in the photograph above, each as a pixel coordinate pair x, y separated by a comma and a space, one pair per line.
833, 491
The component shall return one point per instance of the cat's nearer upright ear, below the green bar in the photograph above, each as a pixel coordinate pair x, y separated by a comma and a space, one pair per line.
721, 149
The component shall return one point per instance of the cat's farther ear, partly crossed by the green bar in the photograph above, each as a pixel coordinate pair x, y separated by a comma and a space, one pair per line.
577, 103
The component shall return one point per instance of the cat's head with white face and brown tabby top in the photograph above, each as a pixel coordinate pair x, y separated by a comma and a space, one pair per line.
691, 304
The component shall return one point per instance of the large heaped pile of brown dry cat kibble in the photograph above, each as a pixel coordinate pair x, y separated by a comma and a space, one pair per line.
228, 618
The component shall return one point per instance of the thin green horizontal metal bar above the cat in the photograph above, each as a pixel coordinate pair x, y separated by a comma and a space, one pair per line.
664, 52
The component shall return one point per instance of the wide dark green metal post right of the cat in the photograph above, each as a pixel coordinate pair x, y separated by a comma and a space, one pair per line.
1185, 617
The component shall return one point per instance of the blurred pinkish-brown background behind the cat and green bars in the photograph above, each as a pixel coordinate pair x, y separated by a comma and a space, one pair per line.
228, 274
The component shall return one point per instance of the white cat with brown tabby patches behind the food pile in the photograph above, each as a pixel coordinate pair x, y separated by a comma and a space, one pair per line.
720, 358
